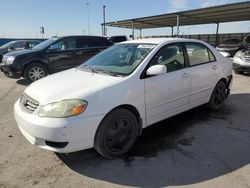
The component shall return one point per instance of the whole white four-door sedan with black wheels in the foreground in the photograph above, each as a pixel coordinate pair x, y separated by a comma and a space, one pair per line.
105, 102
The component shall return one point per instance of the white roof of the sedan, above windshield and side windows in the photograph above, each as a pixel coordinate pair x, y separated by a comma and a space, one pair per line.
162, 40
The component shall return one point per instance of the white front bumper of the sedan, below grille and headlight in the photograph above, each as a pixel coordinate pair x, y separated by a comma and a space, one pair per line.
75, 133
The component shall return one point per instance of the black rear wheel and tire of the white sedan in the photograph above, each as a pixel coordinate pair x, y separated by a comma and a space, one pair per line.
218, 96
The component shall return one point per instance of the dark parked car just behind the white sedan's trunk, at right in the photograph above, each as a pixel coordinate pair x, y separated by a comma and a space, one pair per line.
230, 46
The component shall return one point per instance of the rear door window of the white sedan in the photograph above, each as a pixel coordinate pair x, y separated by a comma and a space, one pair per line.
198, 54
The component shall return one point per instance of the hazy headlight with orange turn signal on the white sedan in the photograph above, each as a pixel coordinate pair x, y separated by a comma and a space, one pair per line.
64, 108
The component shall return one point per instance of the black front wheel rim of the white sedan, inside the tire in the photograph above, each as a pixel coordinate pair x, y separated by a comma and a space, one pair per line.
120, 135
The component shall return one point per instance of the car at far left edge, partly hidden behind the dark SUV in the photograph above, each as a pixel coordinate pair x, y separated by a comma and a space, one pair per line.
17, 45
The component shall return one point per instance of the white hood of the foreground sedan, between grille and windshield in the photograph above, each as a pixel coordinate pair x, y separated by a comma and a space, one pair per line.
70, 84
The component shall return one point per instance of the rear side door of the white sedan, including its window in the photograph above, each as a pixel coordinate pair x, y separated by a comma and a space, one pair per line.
204, 71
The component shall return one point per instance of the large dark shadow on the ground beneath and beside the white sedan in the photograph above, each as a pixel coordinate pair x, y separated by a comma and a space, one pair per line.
192, 147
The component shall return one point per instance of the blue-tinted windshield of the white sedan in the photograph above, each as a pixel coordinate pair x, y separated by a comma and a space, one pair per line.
119, 60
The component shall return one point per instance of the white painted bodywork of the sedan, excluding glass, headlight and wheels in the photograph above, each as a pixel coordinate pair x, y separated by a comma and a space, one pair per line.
155, 98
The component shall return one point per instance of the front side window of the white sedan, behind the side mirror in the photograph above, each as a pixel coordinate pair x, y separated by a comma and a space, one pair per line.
171, 56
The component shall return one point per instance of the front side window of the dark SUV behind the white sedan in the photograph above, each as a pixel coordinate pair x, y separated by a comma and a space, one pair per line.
64, 44
